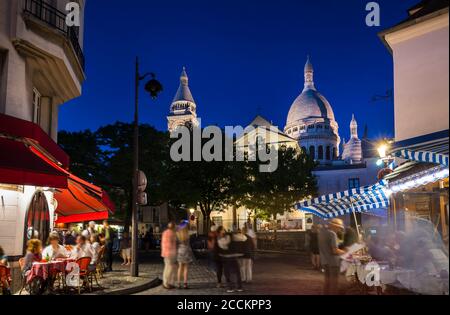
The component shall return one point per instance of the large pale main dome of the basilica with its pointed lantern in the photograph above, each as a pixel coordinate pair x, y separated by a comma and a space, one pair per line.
310, 103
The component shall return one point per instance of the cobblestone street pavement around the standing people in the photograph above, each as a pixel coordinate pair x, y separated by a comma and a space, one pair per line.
274, 273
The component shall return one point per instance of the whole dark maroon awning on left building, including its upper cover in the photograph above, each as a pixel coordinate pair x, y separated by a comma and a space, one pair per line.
25, 150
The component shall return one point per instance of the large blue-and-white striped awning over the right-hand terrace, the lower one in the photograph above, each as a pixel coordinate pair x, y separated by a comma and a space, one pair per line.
354, 200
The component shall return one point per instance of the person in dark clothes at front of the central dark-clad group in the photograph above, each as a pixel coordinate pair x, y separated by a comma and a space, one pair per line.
228, 252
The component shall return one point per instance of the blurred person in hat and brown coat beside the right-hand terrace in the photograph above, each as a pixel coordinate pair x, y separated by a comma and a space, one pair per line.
330, 255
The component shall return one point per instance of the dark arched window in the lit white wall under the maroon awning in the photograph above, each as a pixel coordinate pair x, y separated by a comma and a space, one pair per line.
37, 219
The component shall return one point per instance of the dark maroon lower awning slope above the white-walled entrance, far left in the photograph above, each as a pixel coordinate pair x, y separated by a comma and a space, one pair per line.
20, 165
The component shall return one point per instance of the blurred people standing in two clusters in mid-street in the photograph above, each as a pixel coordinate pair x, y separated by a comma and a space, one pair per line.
231, 254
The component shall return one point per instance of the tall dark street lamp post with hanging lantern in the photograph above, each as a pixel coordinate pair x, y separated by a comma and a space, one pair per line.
154, 88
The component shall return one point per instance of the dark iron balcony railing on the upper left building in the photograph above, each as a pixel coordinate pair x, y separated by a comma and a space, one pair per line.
56, 19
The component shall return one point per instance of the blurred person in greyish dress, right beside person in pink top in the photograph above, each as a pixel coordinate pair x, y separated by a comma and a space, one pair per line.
184, 254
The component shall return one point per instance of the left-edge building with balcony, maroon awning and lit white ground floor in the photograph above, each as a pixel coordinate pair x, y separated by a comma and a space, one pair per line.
41, 67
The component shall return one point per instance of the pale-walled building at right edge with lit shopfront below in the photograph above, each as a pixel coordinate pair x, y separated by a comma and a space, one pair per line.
420, 49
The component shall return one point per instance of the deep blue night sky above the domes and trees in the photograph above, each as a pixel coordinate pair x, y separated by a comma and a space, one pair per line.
241, 55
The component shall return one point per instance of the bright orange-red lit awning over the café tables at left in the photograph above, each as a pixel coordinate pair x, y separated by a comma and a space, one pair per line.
82, 201
